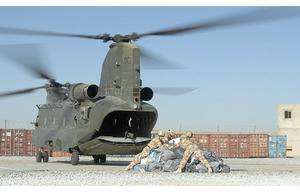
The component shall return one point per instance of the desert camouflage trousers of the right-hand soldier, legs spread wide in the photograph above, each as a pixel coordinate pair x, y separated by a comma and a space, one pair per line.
188, 152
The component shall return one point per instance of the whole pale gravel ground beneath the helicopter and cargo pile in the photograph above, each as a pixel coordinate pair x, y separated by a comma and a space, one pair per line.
24, 171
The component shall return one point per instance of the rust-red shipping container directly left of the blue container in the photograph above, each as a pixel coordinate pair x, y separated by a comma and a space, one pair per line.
258, 145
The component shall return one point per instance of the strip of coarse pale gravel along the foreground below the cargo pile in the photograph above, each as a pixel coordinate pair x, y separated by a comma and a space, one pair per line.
92, 178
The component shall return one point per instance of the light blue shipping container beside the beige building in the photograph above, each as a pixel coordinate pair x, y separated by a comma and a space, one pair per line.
277, 146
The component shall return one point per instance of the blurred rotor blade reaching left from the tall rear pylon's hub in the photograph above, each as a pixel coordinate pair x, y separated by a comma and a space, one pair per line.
19, 31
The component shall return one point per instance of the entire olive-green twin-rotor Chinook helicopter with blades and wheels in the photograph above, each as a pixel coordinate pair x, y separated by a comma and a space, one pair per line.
112, 118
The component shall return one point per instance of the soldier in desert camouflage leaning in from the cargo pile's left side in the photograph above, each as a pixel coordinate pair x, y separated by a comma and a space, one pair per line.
157, 142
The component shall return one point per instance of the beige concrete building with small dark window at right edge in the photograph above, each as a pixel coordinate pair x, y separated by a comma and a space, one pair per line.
290, 127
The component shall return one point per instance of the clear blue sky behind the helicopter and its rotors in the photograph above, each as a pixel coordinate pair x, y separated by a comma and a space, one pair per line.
241, 73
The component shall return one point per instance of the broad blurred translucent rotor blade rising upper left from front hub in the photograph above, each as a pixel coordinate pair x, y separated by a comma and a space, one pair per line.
28, 56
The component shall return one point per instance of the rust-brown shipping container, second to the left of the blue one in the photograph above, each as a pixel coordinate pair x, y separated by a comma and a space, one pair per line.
239, 146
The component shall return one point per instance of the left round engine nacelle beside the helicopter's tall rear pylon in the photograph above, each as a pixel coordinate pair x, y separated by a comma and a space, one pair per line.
78, 92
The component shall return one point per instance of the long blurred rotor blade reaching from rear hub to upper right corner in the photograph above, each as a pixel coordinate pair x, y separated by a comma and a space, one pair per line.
261, 15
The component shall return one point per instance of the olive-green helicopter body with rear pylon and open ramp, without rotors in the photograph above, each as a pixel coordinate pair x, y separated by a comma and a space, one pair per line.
110, 120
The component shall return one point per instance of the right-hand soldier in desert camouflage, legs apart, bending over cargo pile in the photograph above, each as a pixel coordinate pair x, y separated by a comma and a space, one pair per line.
190, 148
